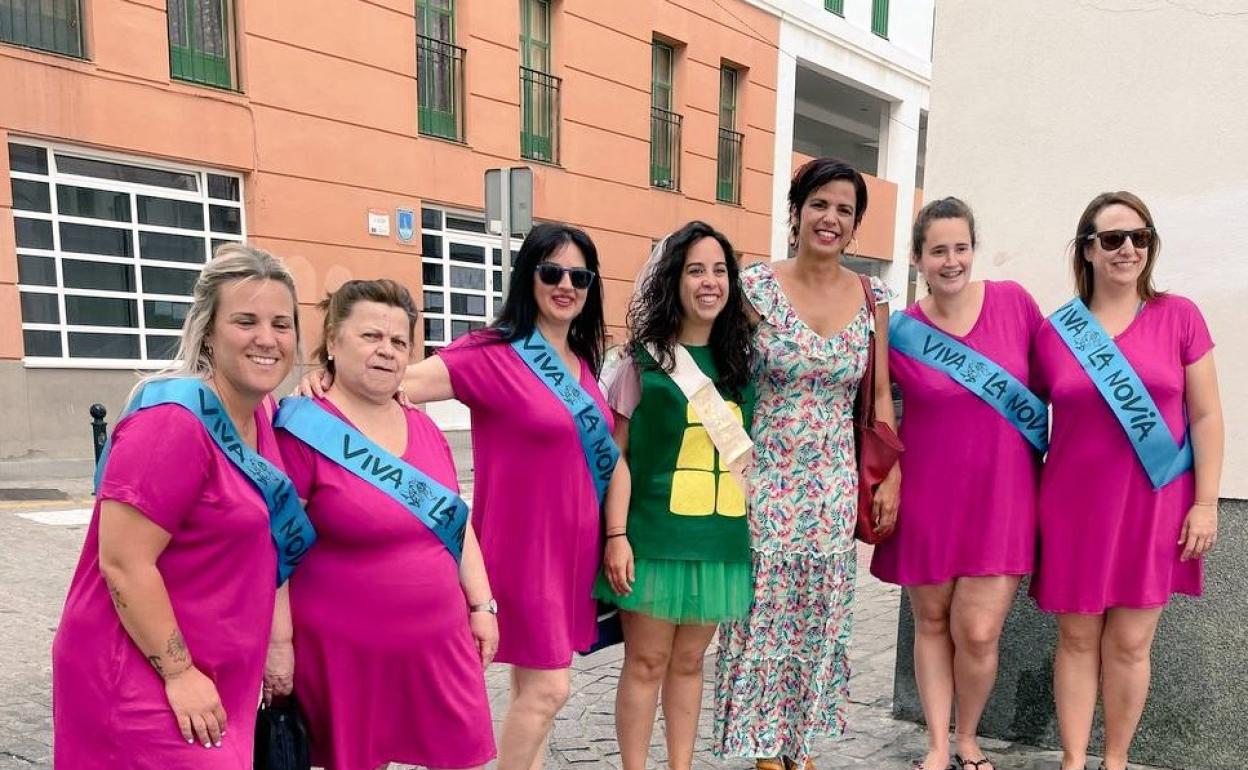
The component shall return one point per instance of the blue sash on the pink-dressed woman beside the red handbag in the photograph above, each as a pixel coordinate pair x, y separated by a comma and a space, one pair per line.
977, 373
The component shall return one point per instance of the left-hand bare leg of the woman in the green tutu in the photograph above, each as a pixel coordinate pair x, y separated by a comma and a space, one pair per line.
647, 652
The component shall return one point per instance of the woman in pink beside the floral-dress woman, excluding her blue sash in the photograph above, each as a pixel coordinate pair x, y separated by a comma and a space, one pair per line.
967, 529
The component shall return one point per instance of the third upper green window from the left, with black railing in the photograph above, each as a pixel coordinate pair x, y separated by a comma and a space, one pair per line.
440, 71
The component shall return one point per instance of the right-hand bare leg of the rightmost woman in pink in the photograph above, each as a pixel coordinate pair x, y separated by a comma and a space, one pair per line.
1126, 668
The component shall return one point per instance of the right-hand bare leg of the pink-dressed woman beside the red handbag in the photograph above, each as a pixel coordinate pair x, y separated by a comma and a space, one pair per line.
979, 612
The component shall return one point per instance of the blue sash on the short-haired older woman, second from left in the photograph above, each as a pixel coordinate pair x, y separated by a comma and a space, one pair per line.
439, 509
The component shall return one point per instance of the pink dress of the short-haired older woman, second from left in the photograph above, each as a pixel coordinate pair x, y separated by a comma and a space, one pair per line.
386, 667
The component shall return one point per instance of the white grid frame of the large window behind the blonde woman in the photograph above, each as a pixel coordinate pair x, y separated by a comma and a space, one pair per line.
139, 296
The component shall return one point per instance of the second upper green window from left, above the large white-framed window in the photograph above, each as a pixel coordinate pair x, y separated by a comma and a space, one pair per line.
202, 42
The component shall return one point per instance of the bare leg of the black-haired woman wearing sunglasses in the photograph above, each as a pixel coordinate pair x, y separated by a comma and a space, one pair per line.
537, 697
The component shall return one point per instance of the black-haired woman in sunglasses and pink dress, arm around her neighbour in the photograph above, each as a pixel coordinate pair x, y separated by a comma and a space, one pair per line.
544, 461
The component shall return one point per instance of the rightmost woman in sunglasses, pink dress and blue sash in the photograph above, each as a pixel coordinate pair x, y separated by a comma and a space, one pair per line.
1130, 491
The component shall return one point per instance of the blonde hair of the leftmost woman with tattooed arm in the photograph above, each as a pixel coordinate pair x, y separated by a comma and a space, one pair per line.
232, 263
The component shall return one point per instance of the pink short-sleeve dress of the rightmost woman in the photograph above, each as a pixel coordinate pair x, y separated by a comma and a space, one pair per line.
1106, 539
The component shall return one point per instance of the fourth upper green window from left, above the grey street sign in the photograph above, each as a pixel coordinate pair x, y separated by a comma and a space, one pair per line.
540, 89
